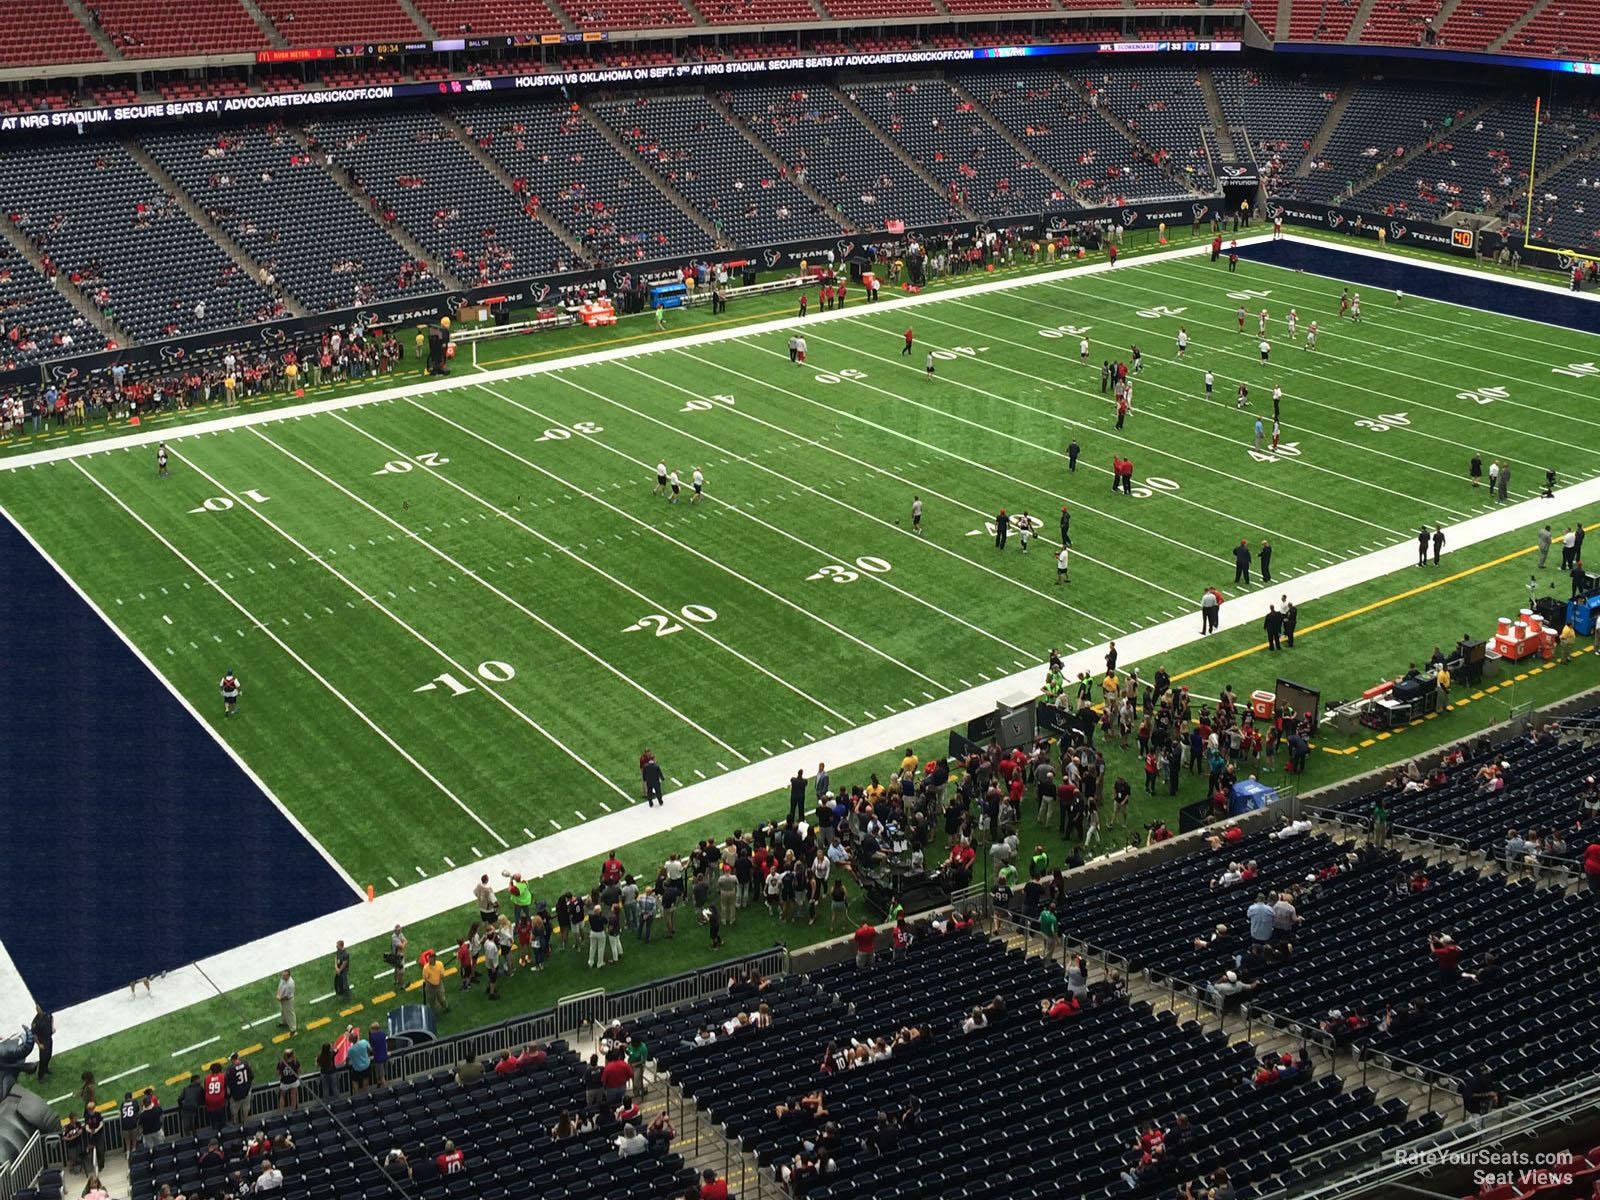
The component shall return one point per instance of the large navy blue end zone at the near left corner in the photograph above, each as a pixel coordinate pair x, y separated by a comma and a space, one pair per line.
134, 842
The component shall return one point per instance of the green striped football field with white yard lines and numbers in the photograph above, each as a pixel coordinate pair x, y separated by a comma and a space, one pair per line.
460, 615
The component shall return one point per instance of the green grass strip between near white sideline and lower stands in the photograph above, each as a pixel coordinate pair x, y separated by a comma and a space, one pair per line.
1476, 586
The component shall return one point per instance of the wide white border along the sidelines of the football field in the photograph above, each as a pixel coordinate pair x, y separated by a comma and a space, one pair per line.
254, 962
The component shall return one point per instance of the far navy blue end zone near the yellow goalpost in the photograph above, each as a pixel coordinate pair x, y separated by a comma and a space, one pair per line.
1390, 273
